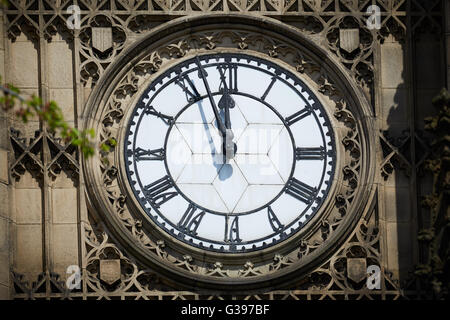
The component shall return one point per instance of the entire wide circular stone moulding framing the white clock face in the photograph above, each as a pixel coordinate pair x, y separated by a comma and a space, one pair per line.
350, 197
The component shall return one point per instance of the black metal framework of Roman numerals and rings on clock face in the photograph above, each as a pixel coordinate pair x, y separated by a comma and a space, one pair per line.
292, 187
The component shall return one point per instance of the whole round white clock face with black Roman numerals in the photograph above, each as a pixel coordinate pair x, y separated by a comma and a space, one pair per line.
229, 153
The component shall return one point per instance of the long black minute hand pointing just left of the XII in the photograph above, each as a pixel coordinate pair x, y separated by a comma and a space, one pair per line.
228, 146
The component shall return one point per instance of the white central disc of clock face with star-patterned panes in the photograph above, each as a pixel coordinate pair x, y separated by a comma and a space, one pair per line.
248, 181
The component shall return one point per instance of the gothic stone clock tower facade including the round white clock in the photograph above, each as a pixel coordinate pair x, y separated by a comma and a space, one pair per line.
259, 149
